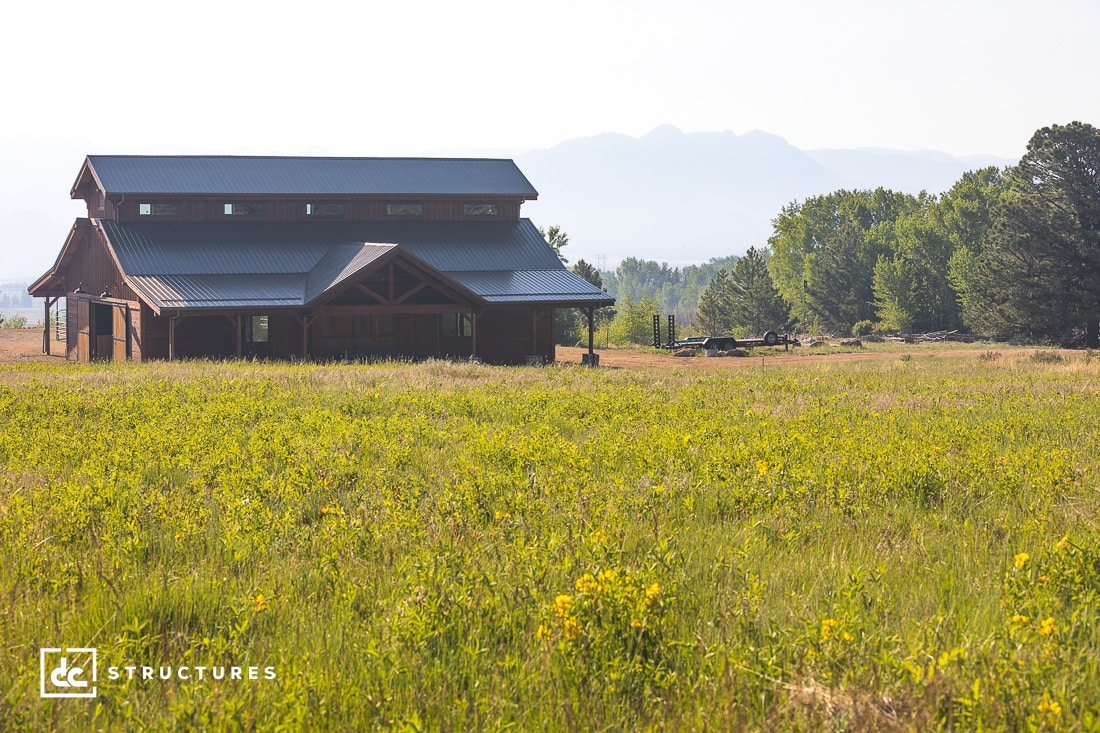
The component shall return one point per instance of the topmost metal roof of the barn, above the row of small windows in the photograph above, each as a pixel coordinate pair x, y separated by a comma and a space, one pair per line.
305, 177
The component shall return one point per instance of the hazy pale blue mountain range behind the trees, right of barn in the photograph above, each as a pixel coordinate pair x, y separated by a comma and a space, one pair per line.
684, 199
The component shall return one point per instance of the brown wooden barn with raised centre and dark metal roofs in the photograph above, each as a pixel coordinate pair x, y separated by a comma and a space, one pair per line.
313, 258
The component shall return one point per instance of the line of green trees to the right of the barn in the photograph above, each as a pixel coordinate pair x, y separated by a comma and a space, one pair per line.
1005, 254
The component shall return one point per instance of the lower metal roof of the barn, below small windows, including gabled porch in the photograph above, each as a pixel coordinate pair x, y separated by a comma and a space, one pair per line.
228, 265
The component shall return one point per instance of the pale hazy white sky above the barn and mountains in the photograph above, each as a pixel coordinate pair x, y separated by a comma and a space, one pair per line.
411, 78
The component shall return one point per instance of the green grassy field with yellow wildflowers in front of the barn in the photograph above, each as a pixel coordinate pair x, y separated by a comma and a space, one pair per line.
905, 544
